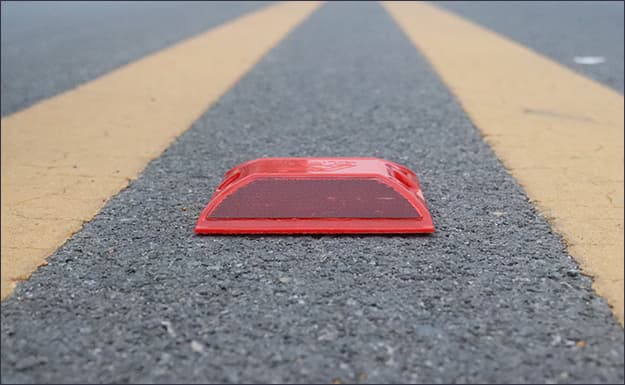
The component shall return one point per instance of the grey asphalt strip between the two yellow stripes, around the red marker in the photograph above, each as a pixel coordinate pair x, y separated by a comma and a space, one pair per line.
491, 297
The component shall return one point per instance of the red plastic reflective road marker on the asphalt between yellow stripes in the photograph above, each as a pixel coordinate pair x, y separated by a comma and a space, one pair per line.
317, 195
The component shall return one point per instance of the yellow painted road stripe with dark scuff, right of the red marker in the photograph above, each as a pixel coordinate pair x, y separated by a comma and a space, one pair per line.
559, 133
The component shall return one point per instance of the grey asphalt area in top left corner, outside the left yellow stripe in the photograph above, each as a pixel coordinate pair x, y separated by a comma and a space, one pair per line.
51, 47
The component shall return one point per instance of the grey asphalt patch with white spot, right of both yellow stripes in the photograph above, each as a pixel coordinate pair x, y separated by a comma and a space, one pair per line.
560, 30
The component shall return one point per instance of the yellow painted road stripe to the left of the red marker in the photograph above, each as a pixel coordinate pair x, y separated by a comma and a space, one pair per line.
63, 158
